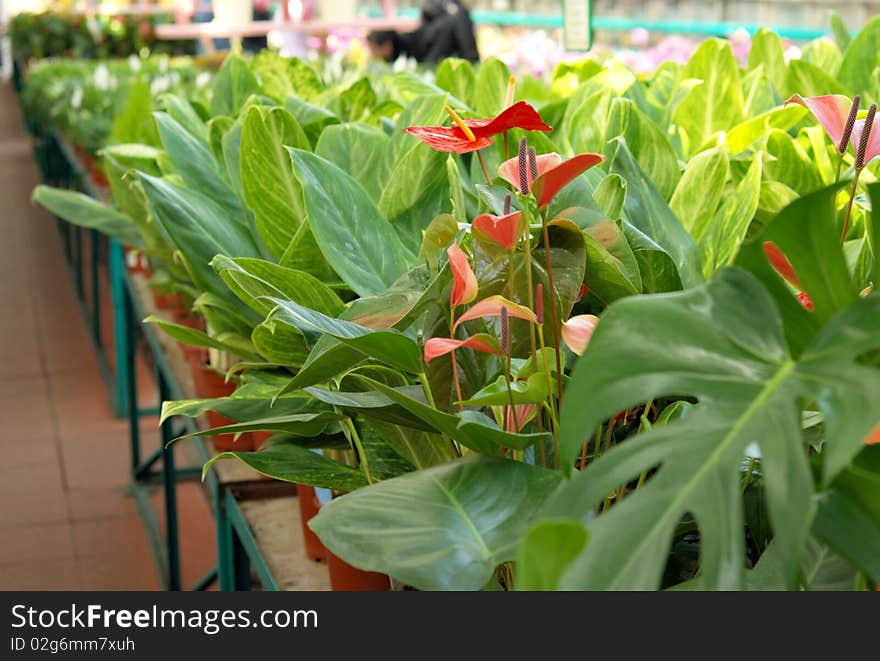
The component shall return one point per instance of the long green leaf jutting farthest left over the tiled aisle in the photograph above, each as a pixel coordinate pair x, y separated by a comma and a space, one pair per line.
86, 211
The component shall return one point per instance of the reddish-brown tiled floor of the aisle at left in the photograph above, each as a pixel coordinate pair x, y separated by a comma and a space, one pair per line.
66, 520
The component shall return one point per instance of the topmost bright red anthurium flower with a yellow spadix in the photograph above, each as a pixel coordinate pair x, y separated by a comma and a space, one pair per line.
454, 139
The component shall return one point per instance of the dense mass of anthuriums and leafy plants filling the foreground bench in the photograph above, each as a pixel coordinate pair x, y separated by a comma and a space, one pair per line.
626, 340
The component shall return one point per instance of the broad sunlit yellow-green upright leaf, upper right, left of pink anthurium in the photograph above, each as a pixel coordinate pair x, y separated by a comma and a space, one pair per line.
716, 104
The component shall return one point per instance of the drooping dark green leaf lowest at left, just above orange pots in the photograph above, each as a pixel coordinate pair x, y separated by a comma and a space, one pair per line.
289, 462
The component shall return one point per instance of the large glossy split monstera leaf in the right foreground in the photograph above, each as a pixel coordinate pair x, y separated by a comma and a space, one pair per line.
722, 343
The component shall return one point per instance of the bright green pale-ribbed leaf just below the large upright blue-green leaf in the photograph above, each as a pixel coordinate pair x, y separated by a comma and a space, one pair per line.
252, 280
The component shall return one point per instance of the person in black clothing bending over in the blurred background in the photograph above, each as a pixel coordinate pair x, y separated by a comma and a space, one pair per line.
446, 30
